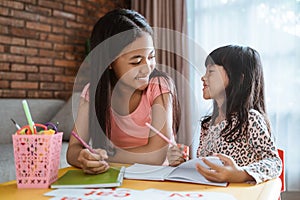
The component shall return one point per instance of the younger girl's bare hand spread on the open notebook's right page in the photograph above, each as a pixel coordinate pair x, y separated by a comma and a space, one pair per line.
230, 172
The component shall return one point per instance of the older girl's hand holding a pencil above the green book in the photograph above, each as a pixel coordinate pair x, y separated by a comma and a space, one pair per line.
92, 163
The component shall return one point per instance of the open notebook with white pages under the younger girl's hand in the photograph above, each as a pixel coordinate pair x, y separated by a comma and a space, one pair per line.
185, 172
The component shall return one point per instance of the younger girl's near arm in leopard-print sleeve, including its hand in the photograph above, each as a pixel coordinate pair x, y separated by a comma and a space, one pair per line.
267, 164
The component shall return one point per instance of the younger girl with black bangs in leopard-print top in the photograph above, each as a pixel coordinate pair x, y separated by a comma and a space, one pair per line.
238, 130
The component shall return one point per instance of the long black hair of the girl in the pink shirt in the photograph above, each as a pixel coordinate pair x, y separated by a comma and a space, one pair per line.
110, 35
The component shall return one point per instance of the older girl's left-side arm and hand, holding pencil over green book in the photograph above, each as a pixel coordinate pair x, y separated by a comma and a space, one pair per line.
79, 157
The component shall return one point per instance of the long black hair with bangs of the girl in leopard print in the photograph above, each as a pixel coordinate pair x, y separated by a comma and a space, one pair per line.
245, 89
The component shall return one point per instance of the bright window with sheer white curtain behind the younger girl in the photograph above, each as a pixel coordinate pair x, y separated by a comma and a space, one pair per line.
272, 28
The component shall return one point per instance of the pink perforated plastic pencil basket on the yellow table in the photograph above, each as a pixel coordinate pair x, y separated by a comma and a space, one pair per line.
37, 159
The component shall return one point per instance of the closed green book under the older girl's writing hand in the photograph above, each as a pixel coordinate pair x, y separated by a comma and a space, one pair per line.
113, 177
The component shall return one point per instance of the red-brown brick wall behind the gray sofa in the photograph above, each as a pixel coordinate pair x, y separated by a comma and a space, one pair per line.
42, 44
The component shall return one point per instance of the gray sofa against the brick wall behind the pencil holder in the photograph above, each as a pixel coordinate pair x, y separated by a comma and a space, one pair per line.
42, 111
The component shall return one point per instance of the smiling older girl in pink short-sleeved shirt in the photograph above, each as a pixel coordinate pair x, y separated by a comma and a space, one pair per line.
124, 93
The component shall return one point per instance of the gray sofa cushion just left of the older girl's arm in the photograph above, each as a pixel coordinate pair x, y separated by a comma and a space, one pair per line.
67, 115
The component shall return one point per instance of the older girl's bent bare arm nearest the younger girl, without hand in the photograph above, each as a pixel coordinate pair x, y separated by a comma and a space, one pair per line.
155, 151
